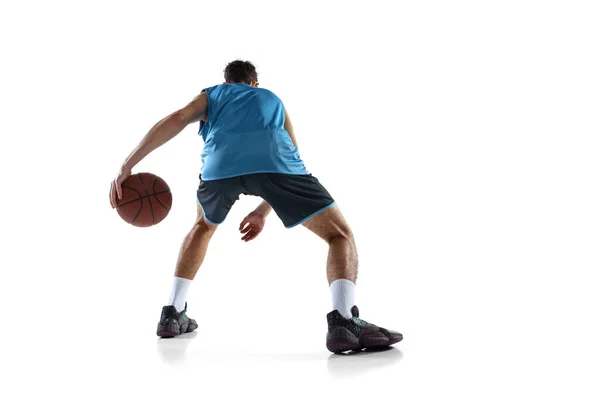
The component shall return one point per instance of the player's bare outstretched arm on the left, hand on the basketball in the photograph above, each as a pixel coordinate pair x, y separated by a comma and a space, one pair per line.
163, 131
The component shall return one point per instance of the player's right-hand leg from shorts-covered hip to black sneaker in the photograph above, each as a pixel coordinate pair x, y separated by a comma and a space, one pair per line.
301, 199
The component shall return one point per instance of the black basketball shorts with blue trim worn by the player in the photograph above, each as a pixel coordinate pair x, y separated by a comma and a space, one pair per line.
294, 198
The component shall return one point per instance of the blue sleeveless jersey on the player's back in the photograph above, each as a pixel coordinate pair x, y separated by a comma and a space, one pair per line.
244, 134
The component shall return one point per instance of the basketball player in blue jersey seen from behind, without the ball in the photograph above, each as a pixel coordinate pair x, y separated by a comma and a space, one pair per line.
250, 148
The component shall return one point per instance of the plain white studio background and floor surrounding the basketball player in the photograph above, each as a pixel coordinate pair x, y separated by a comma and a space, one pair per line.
461, 141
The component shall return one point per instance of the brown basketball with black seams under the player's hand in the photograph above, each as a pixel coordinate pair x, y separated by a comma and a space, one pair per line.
146, 200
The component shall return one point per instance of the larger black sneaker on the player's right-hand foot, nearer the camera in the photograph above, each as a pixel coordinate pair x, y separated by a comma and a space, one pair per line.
355, 334
